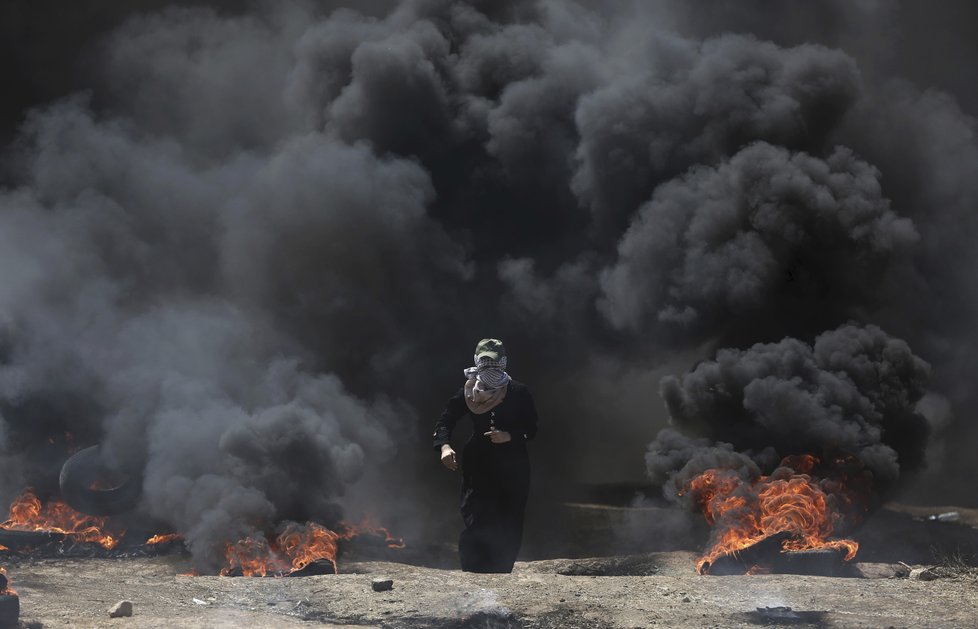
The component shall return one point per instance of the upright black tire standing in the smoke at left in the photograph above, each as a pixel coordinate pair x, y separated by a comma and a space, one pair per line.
89, 487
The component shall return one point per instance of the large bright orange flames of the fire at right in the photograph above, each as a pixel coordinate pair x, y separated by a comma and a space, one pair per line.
790, 501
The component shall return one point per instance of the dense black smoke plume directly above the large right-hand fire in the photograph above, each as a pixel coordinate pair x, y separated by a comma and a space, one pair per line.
853, 393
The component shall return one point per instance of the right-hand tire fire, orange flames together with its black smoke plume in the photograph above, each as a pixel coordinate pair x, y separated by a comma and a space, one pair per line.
834, 424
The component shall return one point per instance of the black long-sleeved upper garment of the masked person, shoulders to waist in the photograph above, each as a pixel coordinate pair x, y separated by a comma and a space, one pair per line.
516, 414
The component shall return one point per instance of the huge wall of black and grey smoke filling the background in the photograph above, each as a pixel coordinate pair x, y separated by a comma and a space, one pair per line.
253, 255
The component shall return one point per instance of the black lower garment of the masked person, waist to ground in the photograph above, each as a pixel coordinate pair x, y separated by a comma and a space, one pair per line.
495, 485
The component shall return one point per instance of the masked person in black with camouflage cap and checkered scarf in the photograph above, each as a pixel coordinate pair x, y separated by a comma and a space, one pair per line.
495, 462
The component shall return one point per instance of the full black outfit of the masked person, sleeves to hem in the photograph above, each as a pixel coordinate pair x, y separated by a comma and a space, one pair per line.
495, 478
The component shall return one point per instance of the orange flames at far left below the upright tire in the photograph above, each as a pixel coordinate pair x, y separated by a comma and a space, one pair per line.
28, 514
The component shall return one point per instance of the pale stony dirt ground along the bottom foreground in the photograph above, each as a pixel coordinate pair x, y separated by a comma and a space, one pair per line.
648, 589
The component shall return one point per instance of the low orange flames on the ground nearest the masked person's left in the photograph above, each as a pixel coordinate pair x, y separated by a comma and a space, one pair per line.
295, 547
